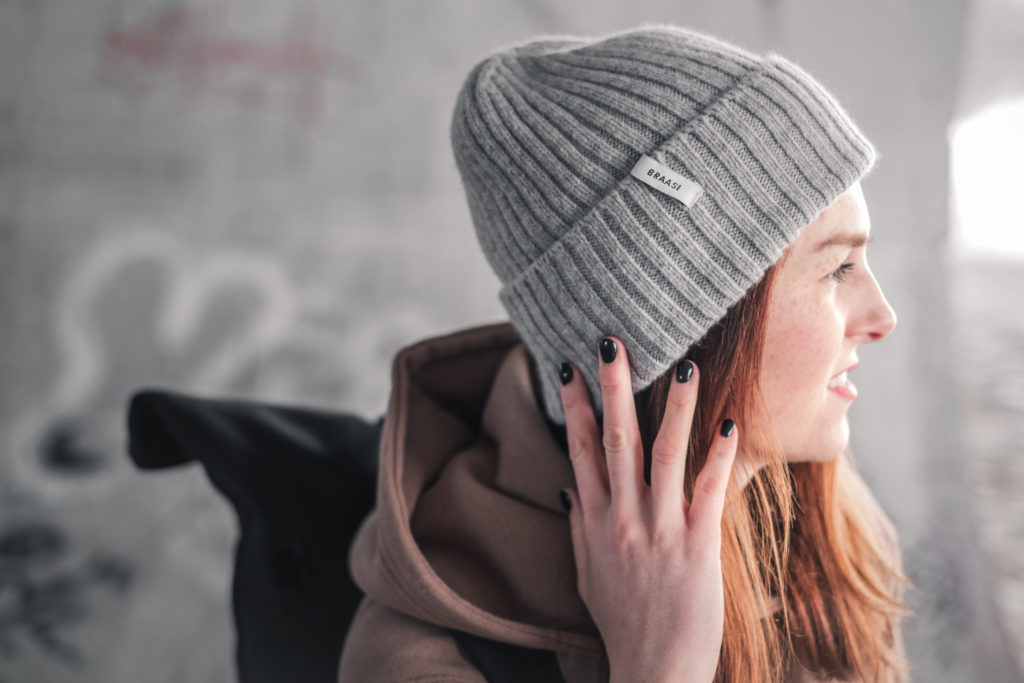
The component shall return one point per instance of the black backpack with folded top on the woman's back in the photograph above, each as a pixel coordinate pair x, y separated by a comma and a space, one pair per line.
302, 481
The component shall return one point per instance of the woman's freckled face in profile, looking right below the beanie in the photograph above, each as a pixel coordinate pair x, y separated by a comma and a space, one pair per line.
825, 305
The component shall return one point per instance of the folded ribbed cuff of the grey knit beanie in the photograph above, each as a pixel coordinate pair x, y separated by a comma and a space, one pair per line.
771, 154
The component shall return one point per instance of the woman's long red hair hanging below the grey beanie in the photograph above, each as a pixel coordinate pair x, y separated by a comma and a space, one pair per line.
797, 532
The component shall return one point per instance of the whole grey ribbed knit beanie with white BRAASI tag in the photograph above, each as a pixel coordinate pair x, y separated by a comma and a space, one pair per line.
638, 184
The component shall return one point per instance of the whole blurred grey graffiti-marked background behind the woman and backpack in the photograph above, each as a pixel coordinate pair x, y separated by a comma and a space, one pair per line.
259, 200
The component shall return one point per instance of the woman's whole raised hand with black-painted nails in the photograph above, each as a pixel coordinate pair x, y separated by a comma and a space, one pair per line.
649, 563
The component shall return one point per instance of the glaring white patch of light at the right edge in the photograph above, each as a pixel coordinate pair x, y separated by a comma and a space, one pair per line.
988, 168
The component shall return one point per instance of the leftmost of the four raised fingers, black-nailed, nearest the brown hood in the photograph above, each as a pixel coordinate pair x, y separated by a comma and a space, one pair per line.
584, 440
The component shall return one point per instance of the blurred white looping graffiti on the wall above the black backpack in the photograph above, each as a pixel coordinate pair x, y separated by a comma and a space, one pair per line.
75, 426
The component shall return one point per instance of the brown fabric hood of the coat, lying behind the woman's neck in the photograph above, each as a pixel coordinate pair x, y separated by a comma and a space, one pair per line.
468, 532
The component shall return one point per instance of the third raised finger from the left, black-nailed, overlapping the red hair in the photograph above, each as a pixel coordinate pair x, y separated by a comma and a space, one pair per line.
669, 452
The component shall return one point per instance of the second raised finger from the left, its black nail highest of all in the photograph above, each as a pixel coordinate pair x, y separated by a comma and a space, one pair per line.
621, 433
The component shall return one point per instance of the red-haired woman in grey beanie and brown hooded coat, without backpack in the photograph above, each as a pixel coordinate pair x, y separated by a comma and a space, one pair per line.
691, 215
